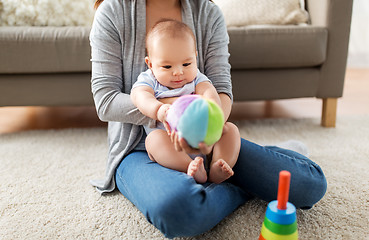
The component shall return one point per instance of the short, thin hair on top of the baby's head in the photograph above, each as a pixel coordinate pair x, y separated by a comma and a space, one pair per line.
169, 28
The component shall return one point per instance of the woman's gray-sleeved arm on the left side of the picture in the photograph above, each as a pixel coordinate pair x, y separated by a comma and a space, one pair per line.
112, 100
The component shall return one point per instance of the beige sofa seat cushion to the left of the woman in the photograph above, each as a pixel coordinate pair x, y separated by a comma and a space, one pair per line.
44, 49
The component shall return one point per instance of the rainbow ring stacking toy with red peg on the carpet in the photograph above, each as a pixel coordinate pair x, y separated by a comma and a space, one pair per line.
280, 218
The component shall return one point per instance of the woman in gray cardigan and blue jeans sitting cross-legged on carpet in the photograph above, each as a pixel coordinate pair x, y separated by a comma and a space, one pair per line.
170, 200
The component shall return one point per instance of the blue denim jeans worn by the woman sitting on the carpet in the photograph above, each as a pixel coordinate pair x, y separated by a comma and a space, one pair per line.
175, 204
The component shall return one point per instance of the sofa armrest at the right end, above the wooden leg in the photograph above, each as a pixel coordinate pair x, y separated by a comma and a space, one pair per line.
335, 15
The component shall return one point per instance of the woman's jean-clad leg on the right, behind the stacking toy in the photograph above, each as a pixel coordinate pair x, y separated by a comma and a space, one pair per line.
257, 171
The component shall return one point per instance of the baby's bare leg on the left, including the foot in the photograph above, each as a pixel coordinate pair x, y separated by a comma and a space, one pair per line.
161, 150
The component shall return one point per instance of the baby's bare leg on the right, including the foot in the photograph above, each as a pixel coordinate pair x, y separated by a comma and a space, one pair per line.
225, 154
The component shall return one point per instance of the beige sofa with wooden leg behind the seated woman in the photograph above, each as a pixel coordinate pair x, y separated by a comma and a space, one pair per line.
49, 66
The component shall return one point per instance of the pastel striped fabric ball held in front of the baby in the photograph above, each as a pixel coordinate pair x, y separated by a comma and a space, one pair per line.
196, 119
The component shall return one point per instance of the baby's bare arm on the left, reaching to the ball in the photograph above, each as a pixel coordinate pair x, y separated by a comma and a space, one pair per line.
144, 99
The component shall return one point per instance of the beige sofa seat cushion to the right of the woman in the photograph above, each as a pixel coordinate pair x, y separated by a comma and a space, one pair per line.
277, 46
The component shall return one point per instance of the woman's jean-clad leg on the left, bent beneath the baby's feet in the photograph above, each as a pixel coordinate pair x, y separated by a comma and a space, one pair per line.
172, 201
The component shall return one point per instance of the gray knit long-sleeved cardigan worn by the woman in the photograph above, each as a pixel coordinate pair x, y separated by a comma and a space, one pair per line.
117, 41
